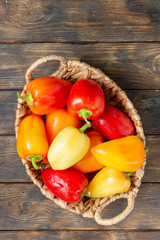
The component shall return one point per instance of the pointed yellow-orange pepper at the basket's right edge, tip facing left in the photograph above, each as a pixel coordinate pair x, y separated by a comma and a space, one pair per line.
125, 154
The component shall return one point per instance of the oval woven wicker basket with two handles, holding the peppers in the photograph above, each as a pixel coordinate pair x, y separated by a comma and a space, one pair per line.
72, 70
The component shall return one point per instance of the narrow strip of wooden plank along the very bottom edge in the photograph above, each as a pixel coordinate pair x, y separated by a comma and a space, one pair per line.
78, 235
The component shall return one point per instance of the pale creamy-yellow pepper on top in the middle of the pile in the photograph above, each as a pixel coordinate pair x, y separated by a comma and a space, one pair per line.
68, 147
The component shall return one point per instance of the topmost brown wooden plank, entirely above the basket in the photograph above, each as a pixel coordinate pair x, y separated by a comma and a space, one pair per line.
61, 21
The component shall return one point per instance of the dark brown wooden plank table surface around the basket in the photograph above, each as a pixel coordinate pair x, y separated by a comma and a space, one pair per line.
120, 37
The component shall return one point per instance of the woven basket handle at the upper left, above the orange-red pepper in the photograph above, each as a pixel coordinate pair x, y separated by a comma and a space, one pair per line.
34, 65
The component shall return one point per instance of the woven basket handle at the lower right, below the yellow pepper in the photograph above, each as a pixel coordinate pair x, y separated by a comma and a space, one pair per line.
118, 218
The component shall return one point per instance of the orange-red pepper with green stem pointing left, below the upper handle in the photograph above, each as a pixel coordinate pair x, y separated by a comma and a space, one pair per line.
45, 94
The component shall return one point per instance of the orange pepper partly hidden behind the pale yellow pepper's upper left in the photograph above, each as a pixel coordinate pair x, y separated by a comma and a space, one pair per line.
57, 120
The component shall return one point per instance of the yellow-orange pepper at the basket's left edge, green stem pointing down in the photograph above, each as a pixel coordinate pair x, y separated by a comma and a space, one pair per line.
32, 142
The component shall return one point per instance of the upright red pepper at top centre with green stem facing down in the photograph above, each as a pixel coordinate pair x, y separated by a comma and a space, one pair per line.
86, 94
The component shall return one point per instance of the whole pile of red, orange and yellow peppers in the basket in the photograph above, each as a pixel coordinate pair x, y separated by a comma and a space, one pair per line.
74, 132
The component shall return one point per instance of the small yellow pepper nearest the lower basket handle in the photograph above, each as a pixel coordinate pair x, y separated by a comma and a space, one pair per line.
108, 182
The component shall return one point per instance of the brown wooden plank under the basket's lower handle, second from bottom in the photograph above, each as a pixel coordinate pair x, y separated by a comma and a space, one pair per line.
23, 207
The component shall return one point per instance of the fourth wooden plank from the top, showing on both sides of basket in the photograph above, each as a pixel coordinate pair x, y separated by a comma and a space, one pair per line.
12, 170
